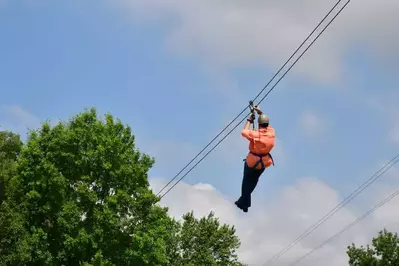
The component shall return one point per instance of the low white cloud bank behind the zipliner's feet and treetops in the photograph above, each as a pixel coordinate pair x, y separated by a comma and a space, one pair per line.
269, 226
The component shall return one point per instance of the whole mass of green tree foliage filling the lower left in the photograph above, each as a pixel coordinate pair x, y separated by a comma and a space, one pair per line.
78, 194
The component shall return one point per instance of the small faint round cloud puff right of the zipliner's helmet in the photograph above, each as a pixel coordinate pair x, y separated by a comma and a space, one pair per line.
312, 124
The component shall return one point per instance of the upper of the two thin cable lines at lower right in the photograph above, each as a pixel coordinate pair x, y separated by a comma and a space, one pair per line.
348, 199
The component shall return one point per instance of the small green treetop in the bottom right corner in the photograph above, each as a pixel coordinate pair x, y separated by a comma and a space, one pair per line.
383, 252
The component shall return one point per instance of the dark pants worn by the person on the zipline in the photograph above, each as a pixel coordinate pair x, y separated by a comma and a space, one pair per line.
249, 182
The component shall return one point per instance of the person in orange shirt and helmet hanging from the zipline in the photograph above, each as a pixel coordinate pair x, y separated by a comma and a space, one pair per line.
261, 142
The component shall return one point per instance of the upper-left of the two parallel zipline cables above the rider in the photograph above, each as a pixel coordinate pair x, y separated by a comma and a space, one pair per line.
275, 75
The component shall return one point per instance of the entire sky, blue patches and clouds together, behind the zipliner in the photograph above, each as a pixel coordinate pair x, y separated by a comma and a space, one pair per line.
177, 72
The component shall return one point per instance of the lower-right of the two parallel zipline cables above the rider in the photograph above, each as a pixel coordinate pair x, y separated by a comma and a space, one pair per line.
278, 81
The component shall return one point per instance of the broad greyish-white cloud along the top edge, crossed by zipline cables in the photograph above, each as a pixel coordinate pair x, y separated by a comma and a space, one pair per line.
225, 34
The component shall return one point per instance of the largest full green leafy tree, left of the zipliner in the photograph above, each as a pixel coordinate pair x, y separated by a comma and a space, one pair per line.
83, 190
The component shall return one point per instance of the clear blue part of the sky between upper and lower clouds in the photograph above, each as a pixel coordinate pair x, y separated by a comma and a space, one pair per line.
59, 58
